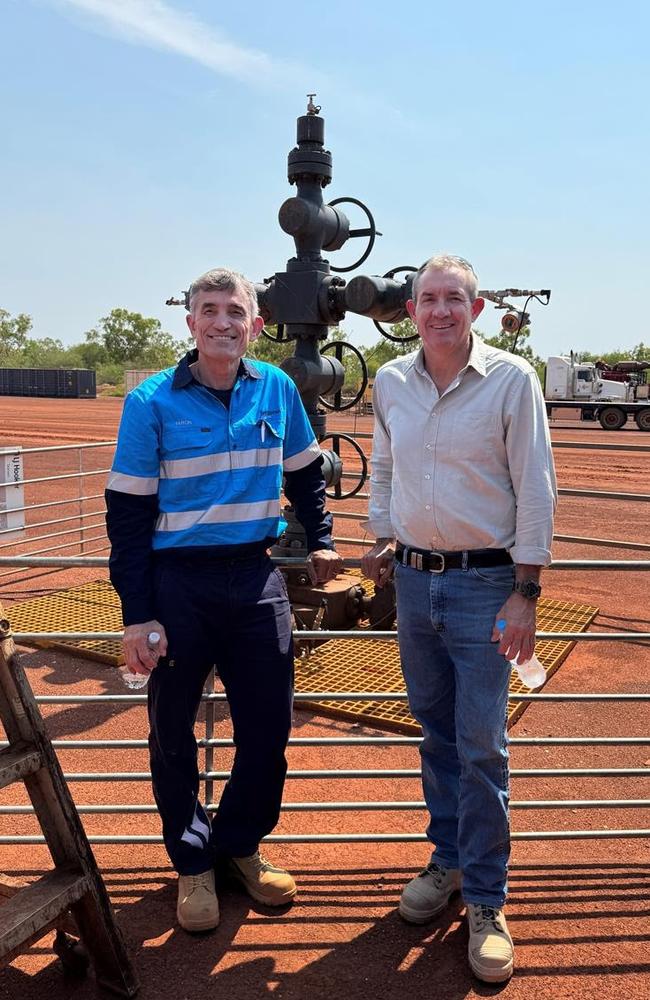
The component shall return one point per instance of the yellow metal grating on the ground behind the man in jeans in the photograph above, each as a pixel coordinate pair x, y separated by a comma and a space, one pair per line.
374, 665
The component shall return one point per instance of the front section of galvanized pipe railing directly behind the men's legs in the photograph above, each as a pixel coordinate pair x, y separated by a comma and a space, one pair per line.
208, 744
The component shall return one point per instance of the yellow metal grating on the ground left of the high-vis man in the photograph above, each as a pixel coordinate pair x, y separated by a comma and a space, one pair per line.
93, 607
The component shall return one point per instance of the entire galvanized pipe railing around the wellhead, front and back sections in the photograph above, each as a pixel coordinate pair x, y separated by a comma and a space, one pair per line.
88, 558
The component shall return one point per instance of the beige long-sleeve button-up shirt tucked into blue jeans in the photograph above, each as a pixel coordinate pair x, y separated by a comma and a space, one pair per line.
470, 469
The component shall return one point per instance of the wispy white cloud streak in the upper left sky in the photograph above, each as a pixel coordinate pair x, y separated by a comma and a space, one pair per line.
156, 24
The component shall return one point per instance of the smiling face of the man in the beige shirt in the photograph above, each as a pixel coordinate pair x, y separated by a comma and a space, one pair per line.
444, 312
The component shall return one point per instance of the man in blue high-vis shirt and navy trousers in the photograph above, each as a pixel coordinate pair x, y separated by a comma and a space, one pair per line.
193, 505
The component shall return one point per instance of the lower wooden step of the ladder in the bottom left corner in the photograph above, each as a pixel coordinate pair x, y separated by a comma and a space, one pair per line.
31, 911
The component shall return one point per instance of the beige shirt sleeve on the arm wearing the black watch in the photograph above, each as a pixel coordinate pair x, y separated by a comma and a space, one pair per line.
530, 462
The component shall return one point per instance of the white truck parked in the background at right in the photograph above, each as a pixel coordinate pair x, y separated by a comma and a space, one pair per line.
607, 393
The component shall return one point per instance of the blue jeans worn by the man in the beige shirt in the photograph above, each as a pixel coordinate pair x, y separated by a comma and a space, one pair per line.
457, 686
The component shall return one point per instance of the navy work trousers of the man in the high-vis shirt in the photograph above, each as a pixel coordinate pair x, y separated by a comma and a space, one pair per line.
235, 615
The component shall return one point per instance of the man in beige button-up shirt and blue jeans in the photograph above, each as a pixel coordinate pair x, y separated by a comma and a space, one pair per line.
462, 500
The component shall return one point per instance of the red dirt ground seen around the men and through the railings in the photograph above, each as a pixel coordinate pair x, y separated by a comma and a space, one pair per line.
578, 909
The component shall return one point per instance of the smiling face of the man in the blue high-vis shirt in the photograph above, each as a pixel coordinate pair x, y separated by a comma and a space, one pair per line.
222, 326
